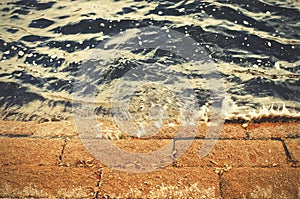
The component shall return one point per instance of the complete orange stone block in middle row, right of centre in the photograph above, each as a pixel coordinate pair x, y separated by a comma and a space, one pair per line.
237, 153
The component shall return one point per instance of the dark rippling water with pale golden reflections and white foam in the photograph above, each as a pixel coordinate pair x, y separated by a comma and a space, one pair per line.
43, 45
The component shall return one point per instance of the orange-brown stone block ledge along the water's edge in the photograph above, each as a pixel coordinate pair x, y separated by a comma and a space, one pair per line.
49, 160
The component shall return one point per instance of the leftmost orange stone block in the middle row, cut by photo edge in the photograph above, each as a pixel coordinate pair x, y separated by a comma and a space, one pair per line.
17, 151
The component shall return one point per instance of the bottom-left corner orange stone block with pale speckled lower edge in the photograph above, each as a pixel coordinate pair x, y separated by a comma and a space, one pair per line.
46, 182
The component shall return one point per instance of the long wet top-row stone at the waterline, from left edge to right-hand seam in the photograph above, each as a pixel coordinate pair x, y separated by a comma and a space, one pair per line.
109, 129
